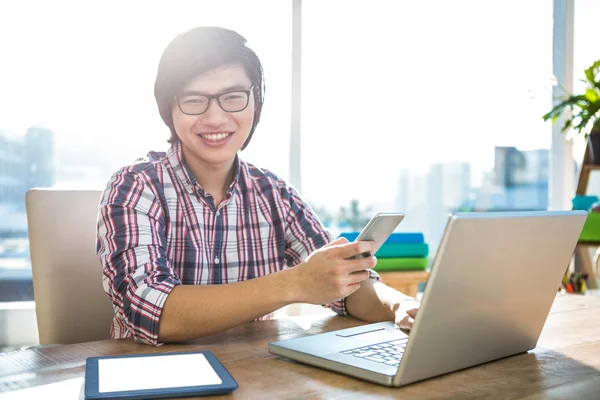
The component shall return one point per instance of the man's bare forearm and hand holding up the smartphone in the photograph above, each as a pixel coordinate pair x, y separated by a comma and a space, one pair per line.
191, 312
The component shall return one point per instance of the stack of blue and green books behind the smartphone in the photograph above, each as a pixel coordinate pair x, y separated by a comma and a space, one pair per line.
402, 251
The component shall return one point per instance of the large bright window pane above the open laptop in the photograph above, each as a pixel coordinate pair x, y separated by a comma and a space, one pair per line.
426, 107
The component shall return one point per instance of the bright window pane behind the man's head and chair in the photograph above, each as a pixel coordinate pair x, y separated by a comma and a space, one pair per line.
77, 96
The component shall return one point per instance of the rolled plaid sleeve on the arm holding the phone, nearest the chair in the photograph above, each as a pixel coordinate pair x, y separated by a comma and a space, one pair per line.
131, 245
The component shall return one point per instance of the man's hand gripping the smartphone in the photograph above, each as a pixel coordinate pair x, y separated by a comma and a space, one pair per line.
328, 275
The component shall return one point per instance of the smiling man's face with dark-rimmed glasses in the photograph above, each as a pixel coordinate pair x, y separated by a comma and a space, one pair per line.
214, 135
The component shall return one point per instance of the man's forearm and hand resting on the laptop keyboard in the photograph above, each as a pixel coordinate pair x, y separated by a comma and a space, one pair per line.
377, 302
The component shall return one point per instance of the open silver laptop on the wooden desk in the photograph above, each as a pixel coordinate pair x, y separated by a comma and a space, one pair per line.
491, 286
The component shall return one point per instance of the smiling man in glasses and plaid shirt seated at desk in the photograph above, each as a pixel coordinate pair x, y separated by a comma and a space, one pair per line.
196, 241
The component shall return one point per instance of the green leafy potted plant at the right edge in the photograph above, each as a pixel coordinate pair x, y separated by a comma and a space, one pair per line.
582, 112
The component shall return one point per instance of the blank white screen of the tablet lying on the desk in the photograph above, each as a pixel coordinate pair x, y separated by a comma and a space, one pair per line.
155, 372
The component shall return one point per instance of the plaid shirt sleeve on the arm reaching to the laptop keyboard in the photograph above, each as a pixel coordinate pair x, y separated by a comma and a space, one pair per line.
304, 234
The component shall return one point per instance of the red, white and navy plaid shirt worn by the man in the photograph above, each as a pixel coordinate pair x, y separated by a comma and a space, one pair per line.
157, 229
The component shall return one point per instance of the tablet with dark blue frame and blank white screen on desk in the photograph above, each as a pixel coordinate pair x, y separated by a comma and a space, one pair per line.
155, 376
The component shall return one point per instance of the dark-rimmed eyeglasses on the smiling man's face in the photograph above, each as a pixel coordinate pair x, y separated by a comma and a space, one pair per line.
196, 103
